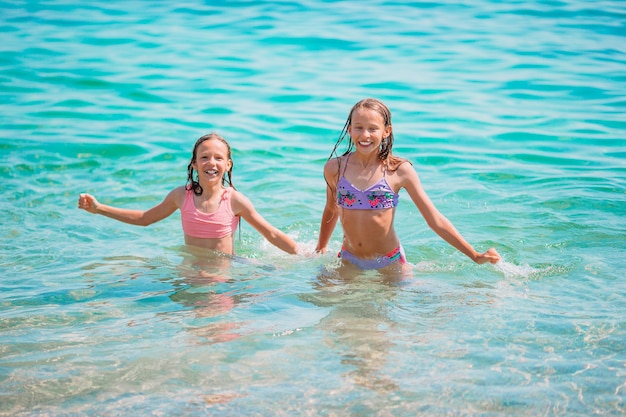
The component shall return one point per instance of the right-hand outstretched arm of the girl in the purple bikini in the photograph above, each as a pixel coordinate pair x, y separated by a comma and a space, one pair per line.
437, 221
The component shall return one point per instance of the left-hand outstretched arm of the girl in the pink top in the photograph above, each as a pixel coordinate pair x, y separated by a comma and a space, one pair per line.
157, 213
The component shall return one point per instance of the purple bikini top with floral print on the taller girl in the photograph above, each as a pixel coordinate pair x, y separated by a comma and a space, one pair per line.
376, 197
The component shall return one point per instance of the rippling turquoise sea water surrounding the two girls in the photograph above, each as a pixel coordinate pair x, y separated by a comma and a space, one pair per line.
513, 113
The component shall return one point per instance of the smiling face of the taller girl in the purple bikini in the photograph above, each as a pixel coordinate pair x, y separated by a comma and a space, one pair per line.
367, 130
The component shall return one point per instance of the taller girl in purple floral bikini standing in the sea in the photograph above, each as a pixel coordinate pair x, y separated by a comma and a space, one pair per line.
362, 191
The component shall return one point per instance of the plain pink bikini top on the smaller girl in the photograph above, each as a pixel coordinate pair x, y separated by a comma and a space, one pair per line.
218, 224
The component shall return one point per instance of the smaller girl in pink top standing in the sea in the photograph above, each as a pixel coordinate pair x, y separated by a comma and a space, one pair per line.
212, 224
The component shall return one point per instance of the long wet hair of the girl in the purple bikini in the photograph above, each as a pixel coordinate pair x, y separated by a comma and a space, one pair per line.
390, 162
